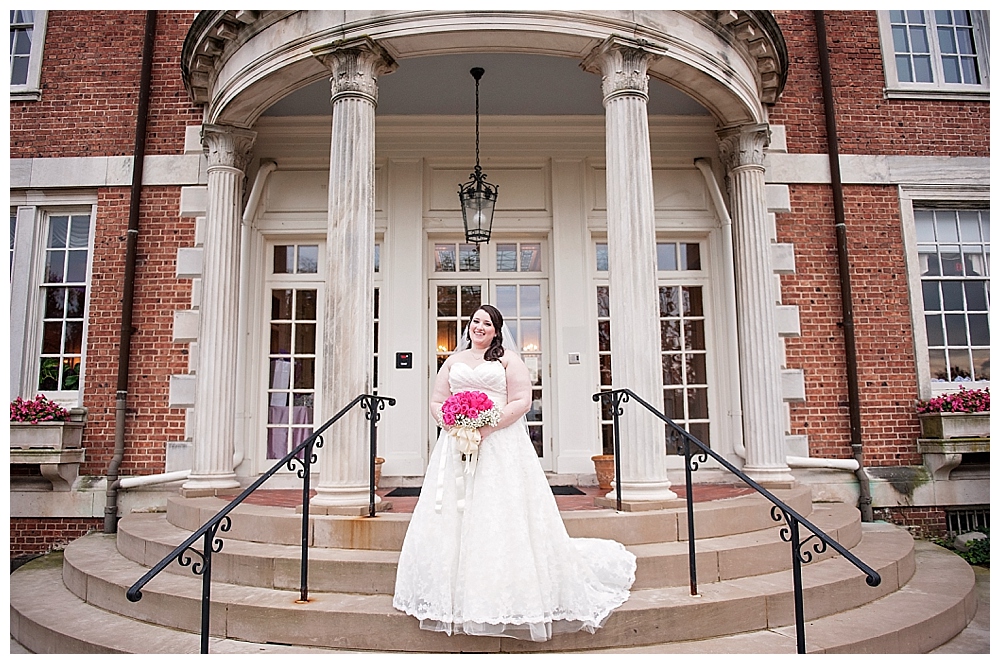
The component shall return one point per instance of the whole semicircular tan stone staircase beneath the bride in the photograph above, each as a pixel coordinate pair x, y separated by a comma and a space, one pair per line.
745, 605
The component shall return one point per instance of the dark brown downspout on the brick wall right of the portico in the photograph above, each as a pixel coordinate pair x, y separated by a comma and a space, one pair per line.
844, 268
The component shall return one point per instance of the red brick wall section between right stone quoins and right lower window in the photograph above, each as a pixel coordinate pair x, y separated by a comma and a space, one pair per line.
883, 336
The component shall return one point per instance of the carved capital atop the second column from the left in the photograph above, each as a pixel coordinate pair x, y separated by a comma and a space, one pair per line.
355, 66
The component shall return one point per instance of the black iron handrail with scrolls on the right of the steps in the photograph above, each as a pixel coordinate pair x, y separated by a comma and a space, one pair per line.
779, 510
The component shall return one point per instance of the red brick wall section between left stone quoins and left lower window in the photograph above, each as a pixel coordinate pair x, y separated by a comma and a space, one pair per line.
154, 356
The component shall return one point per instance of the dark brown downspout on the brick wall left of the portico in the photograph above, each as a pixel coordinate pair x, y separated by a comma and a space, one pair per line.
128, 286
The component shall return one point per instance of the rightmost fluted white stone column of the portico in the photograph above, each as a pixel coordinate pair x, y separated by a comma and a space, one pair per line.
742, 150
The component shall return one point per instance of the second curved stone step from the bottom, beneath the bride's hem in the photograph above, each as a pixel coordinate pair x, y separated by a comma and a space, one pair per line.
94, 571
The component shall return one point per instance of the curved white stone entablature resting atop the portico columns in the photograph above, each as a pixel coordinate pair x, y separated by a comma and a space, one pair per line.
239, 63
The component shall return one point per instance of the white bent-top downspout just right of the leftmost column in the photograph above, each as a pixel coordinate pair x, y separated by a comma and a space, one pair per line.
249, 213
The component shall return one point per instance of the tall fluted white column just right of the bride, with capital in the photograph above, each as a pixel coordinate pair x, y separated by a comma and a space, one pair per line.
635, 325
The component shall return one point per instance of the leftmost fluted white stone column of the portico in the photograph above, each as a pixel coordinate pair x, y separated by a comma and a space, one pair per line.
228, 152
